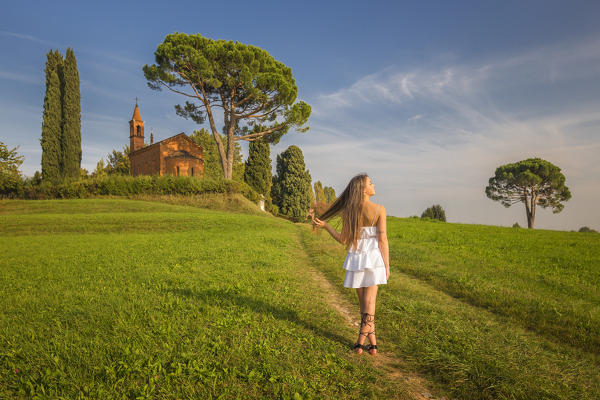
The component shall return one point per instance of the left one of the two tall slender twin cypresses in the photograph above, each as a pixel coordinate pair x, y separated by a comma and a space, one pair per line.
52, 119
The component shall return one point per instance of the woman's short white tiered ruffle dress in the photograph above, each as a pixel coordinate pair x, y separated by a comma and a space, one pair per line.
364, 265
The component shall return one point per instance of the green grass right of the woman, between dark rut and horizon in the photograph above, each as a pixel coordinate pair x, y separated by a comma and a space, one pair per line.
546, 281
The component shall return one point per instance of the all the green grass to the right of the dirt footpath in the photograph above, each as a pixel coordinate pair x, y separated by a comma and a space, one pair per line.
467, 306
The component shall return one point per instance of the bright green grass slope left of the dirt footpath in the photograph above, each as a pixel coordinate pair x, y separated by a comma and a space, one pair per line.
130, 299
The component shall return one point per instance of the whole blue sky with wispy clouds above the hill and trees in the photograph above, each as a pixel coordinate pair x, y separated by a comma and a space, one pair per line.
427, 97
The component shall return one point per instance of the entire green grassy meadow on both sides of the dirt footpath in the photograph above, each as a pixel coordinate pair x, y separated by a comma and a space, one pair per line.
117, 298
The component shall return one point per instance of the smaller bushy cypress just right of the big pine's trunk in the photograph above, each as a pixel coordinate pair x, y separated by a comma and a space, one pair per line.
258, 167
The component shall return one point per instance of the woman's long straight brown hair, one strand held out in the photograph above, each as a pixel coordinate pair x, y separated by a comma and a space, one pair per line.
349, 204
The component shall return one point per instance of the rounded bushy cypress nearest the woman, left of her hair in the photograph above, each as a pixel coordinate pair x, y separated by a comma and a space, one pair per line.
291, 185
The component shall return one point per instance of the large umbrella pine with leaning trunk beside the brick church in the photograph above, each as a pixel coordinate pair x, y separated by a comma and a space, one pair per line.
246, 82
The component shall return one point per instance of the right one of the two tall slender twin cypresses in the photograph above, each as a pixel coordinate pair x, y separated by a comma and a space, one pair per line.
71, 117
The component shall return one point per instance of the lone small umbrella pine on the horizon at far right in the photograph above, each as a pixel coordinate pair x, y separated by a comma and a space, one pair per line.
534, 182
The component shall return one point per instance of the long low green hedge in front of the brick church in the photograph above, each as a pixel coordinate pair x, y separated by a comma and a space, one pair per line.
124, 185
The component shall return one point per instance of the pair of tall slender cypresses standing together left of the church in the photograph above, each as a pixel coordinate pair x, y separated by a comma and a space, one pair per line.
61, 124
